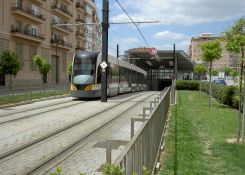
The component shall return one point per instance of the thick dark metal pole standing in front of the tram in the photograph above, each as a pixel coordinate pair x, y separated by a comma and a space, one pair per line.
105, 25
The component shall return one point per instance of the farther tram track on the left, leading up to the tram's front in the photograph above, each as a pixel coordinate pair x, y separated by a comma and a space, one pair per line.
12, 116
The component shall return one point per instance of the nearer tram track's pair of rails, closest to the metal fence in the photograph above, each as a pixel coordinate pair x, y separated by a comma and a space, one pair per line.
10, 153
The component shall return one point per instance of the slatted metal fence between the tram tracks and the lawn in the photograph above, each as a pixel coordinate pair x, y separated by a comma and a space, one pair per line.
144, 146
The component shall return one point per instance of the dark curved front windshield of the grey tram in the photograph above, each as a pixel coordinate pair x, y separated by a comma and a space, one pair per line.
84, 71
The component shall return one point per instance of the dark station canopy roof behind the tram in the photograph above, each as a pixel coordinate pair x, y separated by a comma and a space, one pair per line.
150, 58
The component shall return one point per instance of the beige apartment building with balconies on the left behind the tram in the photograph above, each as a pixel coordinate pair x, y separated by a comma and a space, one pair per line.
30, 27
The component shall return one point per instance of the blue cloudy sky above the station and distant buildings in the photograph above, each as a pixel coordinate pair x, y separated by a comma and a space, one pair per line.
179, 20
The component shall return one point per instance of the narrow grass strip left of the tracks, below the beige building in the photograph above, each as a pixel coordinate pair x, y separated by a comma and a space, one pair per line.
15, 98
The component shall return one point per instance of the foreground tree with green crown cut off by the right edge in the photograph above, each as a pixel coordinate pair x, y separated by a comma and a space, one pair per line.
235, 43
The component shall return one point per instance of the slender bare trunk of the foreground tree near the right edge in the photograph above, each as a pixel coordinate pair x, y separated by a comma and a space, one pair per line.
239, 122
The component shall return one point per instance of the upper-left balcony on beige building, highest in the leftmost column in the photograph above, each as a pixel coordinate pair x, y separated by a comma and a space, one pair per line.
28, 13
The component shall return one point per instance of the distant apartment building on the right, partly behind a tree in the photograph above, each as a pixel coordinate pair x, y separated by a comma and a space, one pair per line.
227, 59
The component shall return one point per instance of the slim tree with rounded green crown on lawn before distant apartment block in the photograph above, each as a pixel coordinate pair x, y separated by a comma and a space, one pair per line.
210, 51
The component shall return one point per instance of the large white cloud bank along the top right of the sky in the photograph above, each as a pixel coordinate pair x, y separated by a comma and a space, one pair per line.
186, 12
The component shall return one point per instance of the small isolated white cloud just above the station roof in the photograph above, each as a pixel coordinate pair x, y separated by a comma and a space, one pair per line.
170, 35
